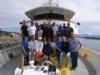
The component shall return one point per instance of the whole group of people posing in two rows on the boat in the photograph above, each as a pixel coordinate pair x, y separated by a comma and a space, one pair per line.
50, 40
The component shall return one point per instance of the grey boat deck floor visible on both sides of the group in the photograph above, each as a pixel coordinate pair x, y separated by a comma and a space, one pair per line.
9, 68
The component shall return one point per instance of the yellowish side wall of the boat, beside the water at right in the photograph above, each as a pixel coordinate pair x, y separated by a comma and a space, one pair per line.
92, 57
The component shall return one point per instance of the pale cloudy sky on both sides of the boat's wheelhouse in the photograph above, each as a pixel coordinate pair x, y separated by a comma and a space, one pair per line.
87, 12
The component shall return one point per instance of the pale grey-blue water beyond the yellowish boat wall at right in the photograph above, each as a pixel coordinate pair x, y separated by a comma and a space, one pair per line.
91, 44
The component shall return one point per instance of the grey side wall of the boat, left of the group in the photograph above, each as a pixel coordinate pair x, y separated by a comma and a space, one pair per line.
5, 54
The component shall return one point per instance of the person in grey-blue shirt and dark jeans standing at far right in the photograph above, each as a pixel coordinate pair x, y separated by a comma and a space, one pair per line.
74, 50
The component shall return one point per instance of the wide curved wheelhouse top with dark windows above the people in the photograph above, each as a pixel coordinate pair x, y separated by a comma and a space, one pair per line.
56, 13
